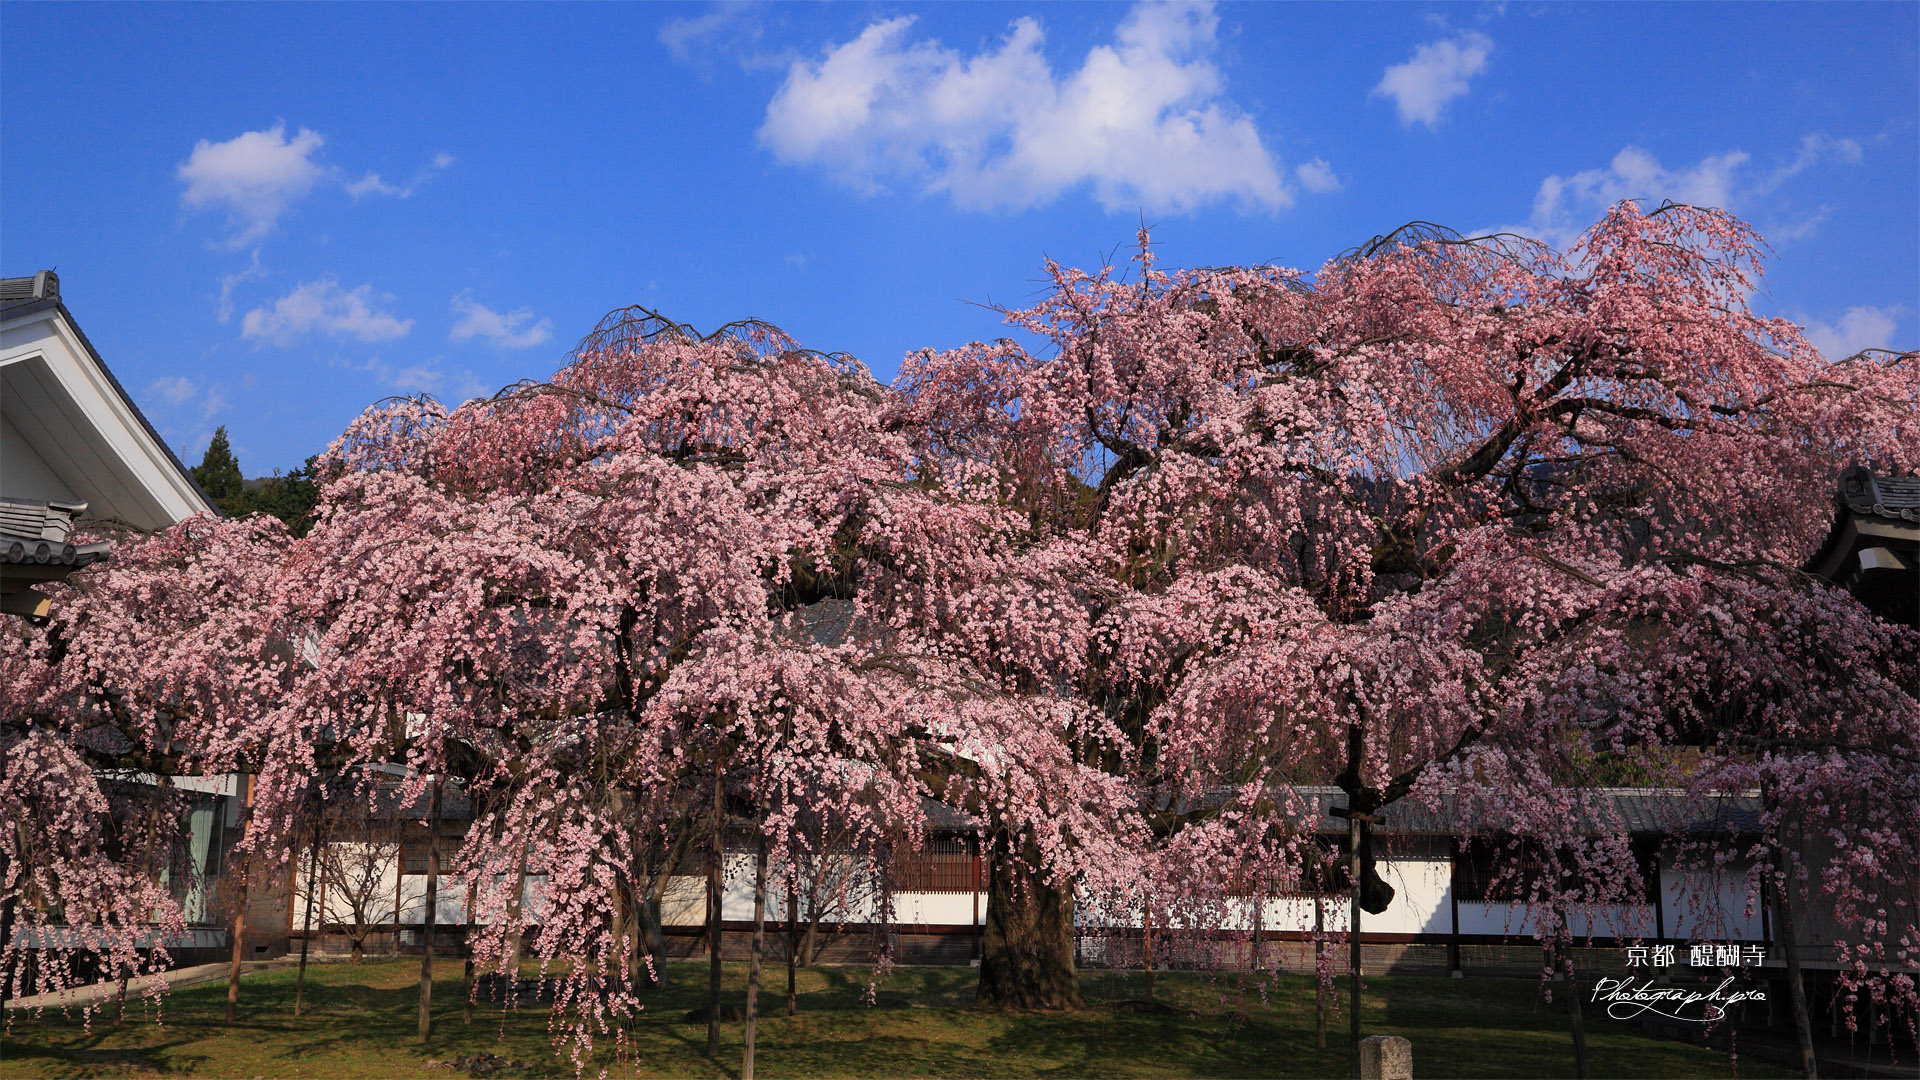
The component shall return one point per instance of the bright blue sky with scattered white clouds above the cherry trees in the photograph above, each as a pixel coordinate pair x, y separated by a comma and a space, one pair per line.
274, 216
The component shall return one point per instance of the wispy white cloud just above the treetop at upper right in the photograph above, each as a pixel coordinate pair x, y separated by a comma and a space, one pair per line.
1566, 207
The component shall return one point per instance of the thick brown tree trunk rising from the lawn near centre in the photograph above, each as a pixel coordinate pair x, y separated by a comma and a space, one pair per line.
1028, 958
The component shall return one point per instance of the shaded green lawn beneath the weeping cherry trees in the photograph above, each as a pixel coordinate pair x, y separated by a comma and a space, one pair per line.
362, 1023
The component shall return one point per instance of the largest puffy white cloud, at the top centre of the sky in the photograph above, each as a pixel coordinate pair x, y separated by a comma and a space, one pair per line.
1143, 120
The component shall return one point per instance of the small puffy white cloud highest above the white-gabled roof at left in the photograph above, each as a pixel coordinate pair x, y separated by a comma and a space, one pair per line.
256, 176
